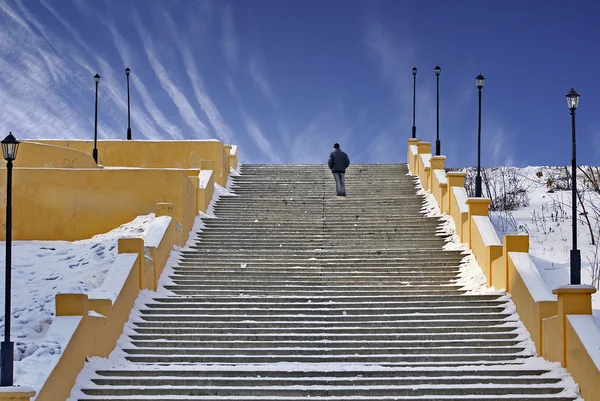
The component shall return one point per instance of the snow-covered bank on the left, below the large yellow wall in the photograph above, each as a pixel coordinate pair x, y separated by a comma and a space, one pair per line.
42, 269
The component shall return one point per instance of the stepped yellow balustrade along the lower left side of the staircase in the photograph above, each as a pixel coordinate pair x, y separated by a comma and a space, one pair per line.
97, 336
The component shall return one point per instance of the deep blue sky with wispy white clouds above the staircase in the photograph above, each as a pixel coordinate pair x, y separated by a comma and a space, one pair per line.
286, 79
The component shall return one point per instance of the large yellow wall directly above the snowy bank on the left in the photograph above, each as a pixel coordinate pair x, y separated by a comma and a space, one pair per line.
75, 204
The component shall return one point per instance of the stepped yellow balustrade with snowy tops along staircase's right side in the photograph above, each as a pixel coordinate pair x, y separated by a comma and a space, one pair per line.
546, 318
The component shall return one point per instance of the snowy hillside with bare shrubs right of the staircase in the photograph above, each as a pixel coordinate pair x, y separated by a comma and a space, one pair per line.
541, 199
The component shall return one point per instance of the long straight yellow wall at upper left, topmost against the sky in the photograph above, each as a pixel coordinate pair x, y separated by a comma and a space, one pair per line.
155, 154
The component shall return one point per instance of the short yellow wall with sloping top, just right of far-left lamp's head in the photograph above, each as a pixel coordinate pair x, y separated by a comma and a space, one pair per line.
33, 154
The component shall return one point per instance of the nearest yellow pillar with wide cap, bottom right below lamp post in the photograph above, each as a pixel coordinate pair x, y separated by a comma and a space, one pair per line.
572, 300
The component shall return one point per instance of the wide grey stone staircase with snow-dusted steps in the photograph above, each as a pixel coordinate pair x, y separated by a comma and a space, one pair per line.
294, 294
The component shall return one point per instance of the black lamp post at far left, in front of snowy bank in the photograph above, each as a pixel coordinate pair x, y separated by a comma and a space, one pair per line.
10, 145
